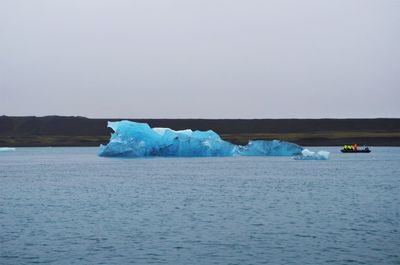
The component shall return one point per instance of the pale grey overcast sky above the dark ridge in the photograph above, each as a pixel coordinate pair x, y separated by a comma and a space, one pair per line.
200, 59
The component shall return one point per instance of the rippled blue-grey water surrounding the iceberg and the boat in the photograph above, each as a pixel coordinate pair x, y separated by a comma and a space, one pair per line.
68, 206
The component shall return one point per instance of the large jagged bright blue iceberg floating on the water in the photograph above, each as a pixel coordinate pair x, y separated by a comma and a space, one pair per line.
132, 139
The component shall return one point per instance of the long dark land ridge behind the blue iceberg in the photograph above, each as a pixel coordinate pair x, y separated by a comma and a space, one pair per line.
80, 131
